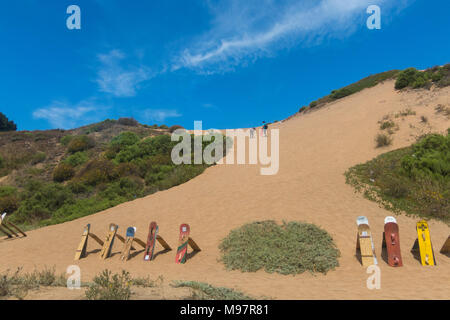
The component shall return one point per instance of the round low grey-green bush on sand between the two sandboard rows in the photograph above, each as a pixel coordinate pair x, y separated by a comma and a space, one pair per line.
291, 248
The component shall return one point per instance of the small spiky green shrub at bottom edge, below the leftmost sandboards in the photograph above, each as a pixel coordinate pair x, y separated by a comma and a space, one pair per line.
107, 286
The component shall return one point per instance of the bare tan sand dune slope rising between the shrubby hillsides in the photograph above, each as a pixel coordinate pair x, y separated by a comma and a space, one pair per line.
315, 150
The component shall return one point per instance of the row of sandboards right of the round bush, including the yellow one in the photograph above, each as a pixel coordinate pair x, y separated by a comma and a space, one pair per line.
422, 248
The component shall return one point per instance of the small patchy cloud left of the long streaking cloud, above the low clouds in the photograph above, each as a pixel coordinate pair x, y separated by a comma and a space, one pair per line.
113, 78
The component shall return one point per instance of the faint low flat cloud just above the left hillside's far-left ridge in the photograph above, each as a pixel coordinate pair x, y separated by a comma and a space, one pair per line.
64, 115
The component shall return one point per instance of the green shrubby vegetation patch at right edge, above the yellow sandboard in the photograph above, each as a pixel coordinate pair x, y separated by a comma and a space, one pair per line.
415, 180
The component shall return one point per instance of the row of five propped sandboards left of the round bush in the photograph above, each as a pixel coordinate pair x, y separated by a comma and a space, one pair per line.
130, 239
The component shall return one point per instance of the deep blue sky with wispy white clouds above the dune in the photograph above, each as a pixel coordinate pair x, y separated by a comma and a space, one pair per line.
228, 63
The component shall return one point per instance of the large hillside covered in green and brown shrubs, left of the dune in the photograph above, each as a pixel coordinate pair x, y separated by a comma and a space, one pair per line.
49, 177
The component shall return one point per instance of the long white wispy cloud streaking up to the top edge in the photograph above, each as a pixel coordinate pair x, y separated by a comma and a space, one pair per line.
244, 31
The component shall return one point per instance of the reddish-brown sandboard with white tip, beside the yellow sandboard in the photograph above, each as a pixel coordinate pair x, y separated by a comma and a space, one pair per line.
391, 241
